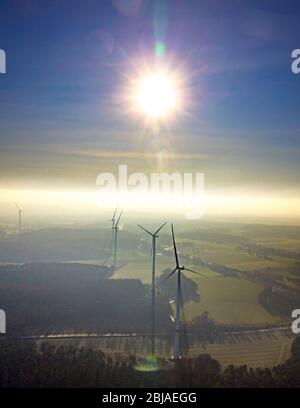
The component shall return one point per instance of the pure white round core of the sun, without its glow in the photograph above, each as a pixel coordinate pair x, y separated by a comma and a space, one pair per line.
156, 95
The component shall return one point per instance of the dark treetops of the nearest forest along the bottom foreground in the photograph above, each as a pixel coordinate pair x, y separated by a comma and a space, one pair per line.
25, 365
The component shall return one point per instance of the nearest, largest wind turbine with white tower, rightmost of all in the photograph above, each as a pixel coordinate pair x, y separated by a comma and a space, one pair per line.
179, 269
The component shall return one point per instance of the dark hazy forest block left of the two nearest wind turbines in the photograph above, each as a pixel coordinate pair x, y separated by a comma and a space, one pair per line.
47, 298
